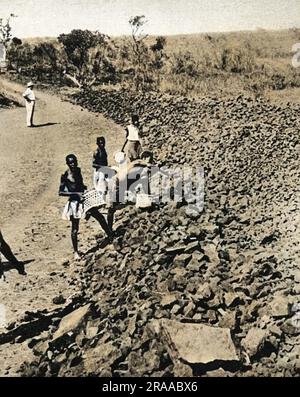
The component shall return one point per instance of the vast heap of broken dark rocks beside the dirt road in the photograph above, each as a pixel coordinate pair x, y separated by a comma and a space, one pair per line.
185, 294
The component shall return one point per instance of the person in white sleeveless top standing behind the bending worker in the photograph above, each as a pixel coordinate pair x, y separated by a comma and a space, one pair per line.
133, 139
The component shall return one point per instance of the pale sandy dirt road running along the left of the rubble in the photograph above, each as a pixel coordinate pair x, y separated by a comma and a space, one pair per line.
31, 162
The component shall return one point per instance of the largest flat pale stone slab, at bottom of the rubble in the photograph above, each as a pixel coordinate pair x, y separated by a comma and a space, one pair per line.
198, 343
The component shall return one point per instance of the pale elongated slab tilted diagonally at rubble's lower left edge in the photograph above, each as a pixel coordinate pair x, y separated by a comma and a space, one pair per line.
72, 322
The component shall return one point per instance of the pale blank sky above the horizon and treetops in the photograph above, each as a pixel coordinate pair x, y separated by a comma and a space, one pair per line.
38, 18
